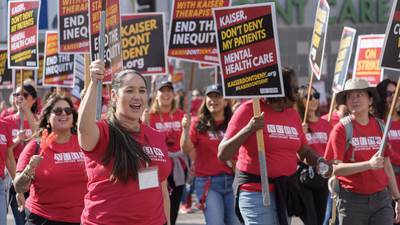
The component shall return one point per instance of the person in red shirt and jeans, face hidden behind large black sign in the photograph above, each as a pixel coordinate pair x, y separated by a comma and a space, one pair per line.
285, 142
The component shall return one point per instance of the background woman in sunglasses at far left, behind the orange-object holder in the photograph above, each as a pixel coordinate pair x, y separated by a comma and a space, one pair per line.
21, 126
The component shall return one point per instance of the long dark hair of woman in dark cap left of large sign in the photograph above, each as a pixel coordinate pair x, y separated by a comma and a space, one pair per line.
207, 122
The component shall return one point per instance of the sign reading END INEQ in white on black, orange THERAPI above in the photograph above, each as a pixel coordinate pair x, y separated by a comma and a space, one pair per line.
73, 26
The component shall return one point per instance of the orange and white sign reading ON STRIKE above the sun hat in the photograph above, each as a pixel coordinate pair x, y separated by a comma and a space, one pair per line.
368, 53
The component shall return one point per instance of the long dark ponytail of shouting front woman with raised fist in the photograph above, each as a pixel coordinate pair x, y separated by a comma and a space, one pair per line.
123, 150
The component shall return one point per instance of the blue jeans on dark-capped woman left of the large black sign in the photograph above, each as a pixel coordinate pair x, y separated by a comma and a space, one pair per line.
219, 202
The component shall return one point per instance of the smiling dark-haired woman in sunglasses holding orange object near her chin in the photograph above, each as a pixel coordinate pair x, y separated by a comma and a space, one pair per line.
54, 169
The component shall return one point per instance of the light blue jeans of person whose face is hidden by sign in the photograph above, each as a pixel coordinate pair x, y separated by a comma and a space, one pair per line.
254, 212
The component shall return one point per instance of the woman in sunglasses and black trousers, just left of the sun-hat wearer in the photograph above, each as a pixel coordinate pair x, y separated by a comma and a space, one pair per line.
317, 130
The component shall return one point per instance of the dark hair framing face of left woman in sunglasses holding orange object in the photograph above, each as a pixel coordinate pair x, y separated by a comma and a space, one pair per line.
47, 110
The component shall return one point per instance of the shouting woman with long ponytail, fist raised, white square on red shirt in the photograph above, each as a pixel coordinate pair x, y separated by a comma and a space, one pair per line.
126, 161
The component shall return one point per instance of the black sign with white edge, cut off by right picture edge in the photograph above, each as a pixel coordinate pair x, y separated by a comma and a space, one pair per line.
391, 49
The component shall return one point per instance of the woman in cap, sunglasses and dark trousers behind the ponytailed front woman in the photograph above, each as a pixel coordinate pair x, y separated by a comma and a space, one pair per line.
166, 117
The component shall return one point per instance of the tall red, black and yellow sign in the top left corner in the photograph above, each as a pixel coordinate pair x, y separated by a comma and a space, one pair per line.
23, 34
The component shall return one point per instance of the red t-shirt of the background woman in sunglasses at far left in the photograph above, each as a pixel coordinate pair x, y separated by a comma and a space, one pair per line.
13, 122
